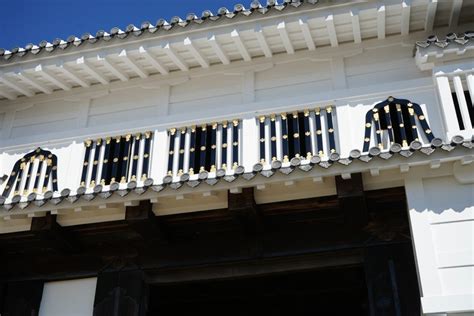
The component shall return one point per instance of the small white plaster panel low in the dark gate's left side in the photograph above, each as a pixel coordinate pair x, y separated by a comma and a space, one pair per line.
71, 298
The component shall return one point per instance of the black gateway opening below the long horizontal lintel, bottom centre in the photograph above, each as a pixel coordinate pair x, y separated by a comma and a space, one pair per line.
332, 291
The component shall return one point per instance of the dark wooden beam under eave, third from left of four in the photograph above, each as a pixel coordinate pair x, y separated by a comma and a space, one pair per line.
246, 212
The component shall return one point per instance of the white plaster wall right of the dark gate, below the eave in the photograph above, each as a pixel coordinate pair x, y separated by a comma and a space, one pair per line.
442, 221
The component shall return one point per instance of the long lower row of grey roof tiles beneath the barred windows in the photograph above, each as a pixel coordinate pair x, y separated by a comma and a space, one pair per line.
211, 179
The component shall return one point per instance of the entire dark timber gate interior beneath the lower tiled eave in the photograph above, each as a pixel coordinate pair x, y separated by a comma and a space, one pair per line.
349, 253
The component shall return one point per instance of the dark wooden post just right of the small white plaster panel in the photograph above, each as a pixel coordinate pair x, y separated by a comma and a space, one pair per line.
122, 293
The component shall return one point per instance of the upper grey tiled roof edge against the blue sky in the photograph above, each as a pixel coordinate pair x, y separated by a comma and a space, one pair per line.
160, 27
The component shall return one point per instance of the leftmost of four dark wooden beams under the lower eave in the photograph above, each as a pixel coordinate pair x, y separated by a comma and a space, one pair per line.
53, 235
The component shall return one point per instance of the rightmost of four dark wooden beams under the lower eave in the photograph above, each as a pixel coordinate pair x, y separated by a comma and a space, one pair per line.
350, 193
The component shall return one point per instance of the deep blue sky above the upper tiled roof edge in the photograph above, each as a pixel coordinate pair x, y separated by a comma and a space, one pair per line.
31, 21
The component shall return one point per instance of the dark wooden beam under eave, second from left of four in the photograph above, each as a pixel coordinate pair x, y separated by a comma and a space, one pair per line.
144, 222
